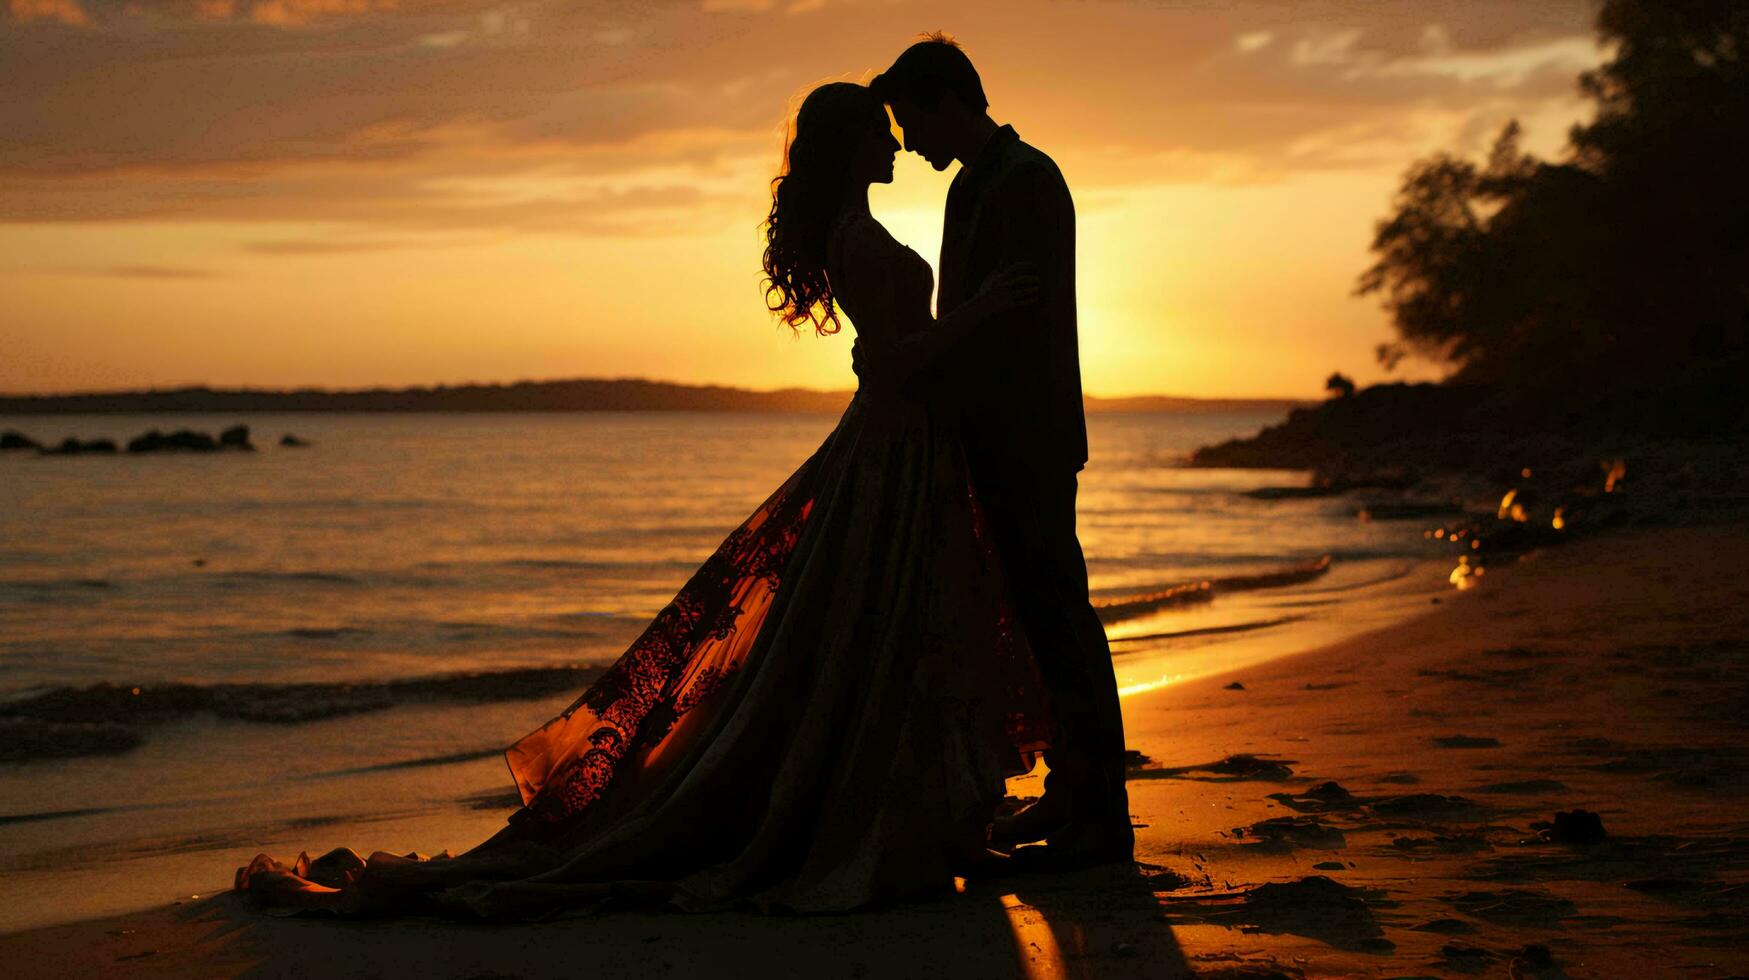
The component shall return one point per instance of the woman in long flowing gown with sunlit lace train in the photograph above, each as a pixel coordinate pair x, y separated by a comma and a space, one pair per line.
825, 715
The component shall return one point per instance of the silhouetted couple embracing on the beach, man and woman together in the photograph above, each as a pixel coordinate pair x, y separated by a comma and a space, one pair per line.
825, 715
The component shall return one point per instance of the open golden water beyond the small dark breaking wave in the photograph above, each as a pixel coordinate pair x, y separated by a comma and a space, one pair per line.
407, 545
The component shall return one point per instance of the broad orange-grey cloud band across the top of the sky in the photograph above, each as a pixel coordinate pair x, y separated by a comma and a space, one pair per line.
606, 118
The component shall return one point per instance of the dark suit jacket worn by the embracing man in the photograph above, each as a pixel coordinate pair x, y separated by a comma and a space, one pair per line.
1015, 384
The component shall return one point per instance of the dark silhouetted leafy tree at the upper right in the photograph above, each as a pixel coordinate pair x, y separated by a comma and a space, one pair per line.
1622, 267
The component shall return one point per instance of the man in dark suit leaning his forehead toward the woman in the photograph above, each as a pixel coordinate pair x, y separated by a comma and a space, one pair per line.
1017, 389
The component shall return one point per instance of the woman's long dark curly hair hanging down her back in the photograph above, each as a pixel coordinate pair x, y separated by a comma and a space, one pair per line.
807, 197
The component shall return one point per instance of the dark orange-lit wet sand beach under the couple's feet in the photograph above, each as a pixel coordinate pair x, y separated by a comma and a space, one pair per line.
1363, 809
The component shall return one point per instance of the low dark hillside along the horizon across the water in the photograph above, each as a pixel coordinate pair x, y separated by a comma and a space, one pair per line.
582, 395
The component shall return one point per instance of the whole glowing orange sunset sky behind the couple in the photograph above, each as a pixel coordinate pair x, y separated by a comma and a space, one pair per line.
412, 192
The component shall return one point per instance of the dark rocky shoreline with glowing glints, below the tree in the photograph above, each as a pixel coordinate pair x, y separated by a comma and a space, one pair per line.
1488, 473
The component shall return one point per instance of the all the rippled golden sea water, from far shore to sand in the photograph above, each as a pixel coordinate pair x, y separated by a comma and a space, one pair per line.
407, 545
